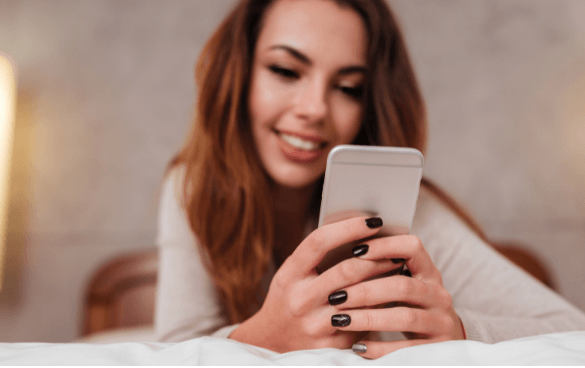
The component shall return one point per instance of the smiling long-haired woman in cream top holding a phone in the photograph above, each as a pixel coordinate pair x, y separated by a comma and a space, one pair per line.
280, 84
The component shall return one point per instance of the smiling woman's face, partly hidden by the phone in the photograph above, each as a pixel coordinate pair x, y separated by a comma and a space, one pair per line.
306, 87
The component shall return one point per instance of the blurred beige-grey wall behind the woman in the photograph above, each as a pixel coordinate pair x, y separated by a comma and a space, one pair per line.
105, 95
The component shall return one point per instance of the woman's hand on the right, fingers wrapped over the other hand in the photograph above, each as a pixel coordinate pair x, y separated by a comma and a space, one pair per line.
425, 310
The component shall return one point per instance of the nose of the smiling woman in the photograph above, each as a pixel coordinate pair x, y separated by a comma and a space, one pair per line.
311, 102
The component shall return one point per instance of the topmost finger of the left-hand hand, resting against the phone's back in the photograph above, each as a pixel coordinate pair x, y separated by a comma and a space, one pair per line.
315, 246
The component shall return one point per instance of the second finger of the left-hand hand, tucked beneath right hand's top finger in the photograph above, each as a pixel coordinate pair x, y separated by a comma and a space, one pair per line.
349, 272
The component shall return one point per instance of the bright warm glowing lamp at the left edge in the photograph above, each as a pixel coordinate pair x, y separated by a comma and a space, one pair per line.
7, 113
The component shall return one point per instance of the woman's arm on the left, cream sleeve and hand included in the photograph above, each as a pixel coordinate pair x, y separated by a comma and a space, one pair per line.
296, 313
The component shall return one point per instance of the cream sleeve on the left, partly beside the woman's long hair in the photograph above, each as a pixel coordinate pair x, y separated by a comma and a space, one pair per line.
187, 305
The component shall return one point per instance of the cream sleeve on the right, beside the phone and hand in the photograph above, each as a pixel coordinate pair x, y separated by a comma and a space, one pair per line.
495, 299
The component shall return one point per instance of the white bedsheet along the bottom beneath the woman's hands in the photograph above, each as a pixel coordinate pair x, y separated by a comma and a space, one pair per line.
553, 349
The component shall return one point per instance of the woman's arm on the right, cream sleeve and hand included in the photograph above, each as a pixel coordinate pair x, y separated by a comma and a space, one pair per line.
459, 288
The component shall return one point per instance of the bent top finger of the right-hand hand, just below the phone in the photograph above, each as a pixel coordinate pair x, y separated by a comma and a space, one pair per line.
409, 248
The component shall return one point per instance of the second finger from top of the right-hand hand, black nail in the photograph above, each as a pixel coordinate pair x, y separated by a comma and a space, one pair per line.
395, 289
